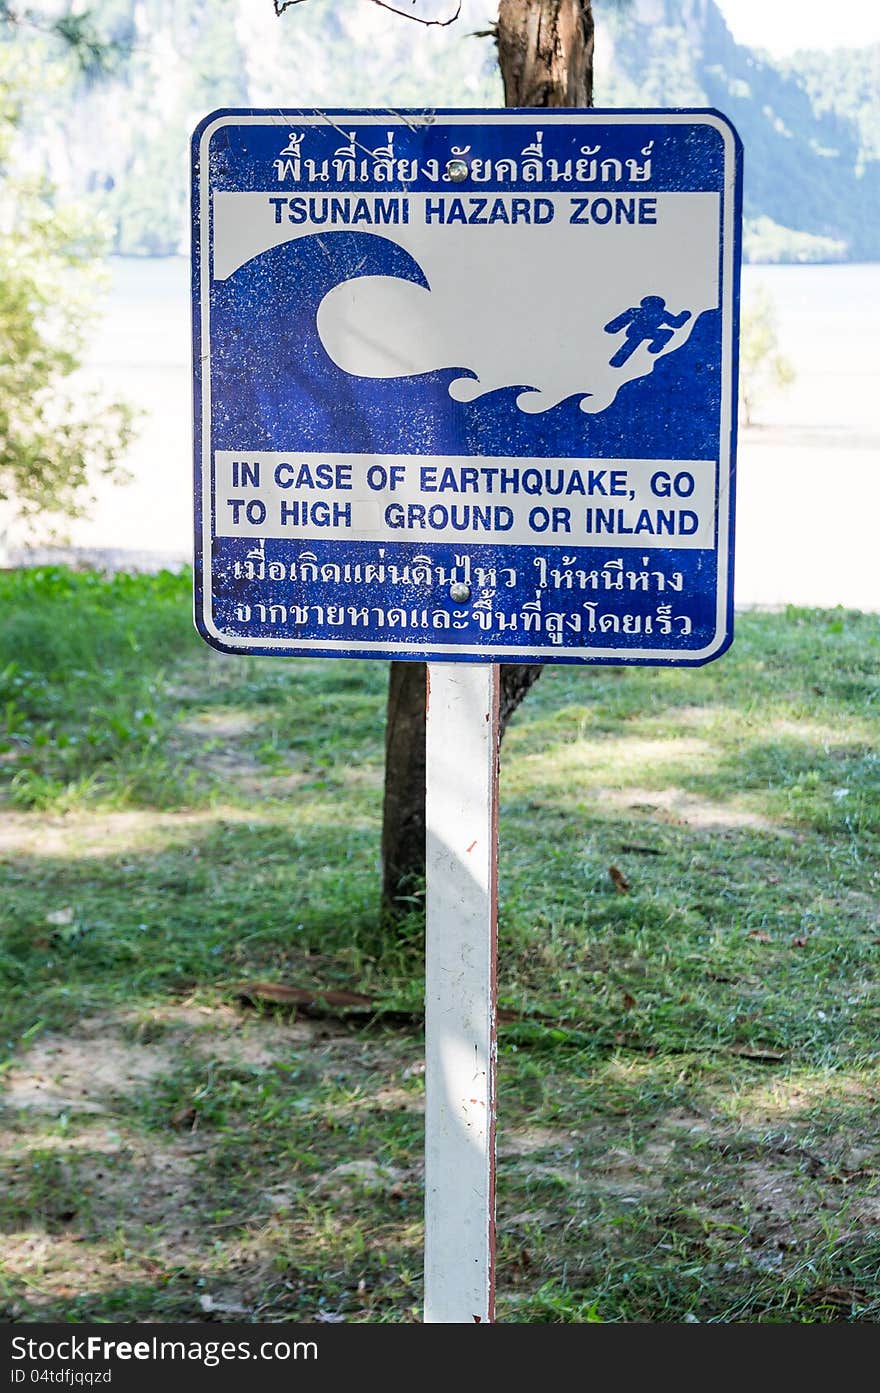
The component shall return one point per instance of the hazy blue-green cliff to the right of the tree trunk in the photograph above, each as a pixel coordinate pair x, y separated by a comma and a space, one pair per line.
811, 127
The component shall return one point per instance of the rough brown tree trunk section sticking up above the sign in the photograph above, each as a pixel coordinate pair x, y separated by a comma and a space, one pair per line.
547, 52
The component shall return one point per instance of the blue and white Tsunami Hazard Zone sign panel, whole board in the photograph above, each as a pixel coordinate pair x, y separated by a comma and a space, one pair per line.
466, 384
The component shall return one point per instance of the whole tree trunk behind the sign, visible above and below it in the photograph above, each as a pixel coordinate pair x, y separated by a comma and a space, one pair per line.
547, 59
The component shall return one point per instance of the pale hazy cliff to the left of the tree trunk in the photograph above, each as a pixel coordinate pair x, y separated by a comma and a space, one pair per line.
190, 59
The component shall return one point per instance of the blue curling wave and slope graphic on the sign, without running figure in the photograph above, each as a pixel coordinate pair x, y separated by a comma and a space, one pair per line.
275, 388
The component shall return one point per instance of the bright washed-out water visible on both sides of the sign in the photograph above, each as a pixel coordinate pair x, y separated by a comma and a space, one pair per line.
808, 470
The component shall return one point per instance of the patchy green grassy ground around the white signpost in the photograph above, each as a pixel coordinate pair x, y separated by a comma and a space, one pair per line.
689, 1091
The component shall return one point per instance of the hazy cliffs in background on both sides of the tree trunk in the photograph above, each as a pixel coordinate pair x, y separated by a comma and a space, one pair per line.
811, 126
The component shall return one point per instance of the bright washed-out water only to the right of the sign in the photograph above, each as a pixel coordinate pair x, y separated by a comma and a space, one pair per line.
810, 469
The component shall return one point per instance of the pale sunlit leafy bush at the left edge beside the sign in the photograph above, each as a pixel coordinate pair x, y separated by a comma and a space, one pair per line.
54, 435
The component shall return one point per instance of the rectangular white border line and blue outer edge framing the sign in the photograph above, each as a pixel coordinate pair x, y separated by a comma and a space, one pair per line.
430, 651
